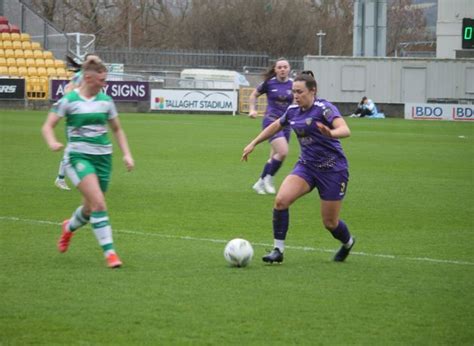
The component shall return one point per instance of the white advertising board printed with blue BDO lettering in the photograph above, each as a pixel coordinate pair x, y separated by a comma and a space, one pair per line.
438, 111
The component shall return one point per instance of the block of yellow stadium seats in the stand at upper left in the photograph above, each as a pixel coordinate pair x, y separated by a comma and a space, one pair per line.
20, 57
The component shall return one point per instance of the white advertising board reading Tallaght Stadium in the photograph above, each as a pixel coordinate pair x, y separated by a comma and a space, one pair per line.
193, 100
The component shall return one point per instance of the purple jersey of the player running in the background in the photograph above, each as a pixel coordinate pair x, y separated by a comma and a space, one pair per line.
279, 96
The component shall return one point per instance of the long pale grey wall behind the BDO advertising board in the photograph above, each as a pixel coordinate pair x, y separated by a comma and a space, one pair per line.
393, 80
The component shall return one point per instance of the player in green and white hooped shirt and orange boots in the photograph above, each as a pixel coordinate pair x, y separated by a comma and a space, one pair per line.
88, 111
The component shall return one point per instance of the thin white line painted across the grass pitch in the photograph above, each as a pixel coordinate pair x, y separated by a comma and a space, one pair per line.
221, 241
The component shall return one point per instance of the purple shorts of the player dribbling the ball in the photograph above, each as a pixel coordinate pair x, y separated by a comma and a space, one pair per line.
331, 186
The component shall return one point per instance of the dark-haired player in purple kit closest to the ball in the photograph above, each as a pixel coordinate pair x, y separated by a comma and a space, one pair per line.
322, 164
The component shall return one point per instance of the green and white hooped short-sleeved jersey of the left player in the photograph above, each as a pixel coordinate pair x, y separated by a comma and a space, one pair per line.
86, 122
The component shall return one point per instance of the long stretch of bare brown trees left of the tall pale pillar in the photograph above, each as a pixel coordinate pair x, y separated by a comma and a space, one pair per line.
275, 27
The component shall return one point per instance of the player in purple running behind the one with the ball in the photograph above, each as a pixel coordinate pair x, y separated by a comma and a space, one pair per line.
277, 86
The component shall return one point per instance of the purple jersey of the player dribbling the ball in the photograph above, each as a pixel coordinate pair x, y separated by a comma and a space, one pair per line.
317, 151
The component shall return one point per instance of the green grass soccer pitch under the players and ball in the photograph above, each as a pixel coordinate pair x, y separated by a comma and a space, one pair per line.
409, 279
